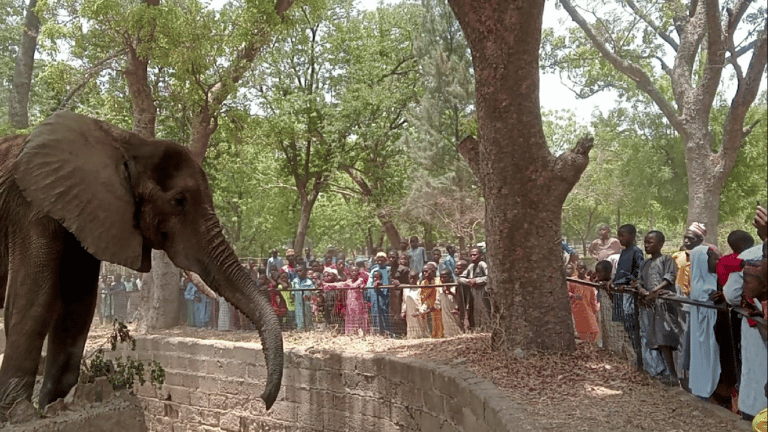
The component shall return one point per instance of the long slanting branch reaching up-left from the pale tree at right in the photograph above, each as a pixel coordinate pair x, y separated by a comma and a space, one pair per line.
630, 70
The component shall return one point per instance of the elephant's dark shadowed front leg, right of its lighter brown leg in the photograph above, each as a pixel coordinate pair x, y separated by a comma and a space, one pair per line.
78, 277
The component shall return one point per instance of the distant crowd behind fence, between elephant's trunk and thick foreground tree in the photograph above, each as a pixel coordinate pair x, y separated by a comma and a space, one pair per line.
404, 293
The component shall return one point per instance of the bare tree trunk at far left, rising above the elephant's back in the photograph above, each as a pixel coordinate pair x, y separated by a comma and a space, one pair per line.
18, 105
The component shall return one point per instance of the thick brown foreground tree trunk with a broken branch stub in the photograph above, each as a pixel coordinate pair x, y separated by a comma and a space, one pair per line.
523, 183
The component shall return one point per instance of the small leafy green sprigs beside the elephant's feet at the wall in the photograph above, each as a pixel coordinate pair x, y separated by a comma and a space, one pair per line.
122, 374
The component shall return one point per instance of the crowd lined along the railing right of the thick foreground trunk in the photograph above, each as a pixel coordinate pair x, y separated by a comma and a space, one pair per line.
695, 318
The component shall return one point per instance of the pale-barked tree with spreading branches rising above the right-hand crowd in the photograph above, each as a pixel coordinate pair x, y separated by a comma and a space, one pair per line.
703, 43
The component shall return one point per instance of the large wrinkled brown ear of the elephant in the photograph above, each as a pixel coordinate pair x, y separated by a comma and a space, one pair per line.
74, 169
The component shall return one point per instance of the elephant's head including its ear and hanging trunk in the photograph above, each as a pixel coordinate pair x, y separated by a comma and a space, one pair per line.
122, 196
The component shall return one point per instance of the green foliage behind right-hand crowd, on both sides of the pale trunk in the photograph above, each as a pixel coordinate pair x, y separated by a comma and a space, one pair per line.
637, 173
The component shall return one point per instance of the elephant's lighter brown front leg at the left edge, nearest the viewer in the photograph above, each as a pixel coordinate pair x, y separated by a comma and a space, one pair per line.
31, 300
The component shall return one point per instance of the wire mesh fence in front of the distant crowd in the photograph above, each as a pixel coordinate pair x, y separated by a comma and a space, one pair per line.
353, 311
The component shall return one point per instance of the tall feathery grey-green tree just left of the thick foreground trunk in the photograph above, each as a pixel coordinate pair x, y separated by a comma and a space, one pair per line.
444, 189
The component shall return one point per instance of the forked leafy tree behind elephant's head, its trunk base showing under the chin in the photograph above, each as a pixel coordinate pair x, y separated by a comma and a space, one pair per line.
165, 47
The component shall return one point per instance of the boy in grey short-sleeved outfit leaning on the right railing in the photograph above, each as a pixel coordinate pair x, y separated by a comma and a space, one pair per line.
658, 321
